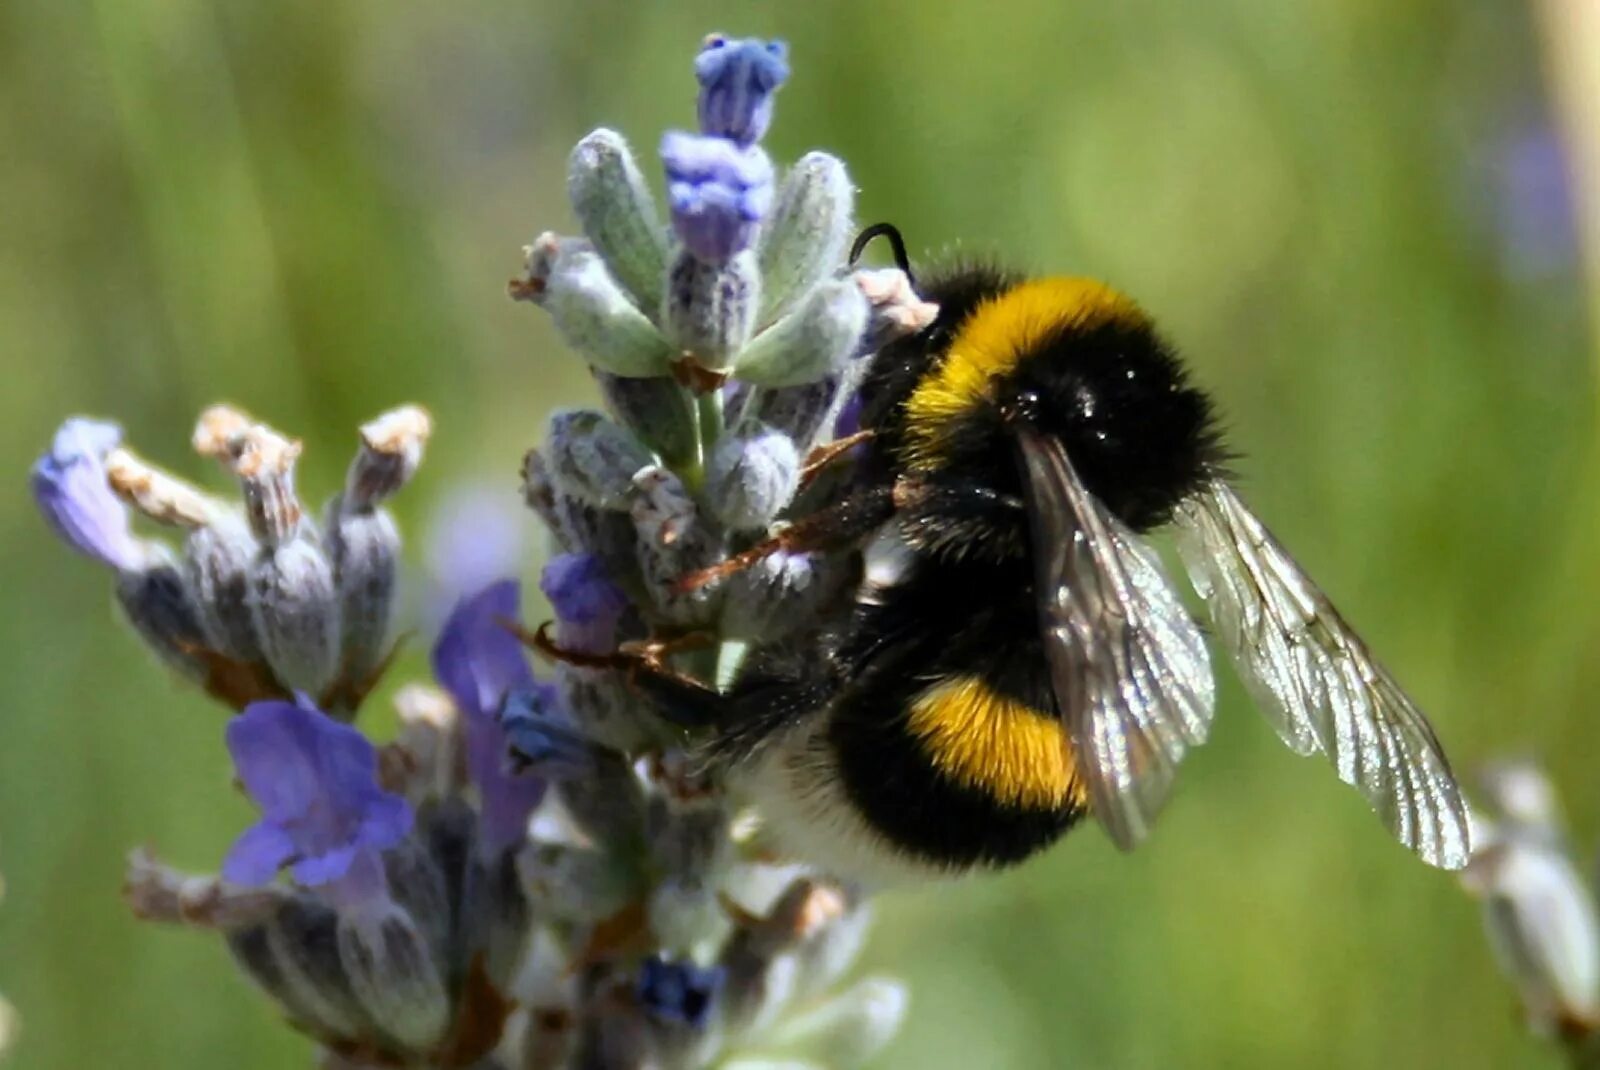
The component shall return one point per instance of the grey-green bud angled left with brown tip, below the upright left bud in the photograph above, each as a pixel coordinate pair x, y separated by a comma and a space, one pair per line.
596, 317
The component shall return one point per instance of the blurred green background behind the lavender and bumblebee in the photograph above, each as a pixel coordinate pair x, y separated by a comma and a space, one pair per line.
1348, 214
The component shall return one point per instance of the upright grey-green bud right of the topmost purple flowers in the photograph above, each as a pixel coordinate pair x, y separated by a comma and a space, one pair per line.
809, 233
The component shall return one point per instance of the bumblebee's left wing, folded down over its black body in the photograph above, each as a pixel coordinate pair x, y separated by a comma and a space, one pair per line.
1129, 665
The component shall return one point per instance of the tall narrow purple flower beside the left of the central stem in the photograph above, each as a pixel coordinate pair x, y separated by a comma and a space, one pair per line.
479, 663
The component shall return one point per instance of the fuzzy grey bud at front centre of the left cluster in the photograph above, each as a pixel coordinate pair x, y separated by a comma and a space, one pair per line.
295, 605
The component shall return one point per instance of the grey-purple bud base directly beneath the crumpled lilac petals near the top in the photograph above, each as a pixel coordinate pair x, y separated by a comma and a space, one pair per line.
711, 308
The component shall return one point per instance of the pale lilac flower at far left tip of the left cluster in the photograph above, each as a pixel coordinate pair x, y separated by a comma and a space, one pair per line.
70, 485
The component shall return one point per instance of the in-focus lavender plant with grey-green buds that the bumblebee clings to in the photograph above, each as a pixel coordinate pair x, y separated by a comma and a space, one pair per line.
535, 874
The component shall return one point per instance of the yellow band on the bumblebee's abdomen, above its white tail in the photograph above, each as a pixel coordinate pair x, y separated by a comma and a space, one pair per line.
996, 745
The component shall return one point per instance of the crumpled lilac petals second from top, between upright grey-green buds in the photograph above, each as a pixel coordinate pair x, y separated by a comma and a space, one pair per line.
718, 193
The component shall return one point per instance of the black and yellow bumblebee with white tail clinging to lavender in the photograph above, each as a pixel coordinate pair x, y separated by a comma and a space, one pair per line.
1026, 661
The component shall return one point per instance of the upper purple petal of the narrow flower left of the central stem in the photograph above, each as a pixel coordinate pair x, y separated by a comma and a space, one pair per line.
478, 660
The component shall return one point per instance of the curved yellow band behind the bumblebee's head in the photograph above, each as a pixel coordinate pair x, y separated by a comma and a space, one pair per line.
993, 341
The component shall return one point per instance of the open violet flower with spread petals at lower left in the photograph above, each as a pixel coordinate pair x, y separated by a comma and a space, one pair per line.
322, 813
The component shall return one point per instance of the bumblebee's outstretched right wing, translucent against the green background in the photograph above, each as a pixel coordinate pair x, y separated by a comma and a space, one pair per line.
1316, 681
